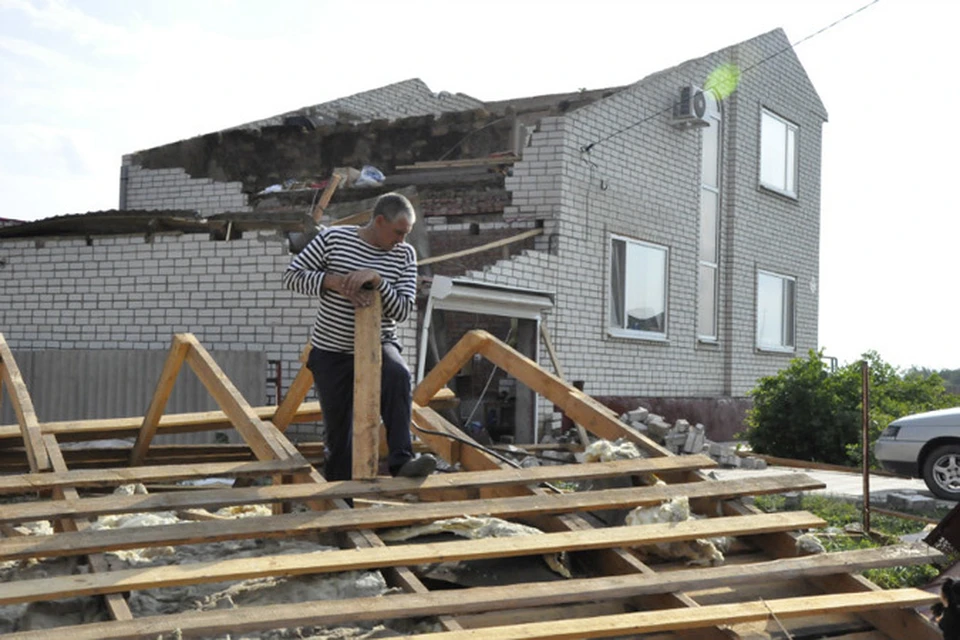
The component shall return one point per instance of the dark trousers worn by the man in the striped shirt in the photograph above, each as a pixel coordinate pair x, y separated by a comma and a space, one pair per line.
333, 379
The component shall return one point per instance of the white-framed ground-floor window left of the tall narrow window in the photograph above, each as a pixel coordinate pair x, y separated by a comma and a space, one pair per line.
638, 288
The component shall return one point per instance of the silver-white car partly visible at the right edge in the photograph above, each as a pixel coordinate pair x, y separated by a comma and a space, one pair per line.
924, 445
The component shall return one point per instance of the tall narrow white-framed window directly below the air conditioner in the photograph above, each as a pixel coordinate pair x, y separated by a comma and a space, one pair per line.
709, 251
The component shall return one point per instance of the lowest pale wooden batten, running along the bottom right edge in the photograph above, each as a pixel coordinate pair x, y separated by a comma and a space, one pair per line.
676, 619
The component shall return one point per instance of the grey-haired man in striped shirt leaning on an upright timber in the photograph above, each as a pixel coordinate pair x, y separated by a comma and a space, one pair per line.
342, 267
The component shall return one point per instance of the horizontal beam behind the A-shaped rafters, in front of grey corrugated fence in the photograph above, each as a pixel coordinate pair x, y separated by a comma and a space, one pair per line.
105, 428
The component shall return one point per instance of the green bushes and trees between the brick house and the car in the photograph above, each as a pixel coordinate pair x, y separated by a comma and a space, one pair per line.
806, 412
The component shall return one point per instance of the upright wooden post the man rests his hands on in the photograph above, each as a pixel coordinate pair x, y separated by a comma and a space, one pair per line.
367, 363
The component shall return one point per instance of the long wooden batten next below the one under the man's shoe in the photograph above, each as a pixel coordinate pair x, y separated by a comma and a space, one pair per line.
302, 523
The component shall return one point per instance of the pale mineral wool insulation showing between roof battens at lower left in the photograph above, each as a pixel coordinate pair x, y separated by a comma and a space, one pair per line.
47, 615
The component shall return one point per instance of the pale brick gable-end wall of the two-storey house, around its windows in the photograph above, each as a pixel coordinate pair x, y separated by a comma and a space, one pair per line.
645, 184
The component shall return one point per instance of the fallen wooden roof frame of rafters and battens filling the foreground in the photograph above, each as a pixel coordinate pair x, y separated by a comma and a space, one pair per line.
485, 483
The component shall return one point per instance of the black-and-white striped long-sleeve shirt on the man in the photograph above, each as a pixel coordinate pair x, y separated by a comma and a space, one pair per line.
340, 250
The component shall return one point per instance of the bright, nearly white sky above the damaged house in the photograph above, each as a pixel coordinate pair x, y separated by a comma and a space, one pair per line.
84, 82
